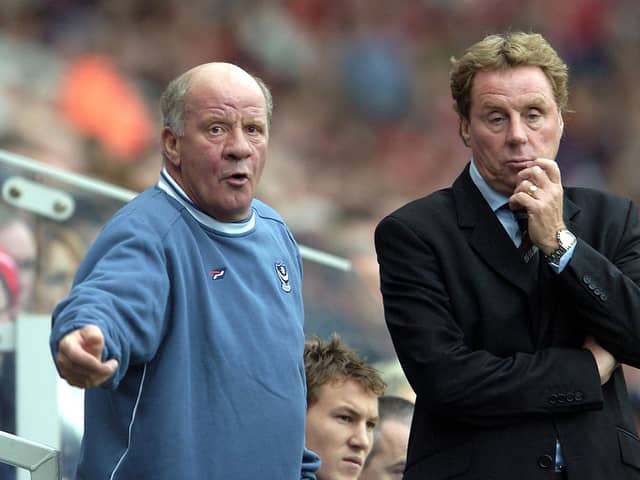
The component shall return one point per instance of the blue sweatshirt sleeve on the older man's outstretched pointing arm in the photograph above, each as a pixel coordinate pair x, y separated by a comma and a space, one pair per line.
122, 287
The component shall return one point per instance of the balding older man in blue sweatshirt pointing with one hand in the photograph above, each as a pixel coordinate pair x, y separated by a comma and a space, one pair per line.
185, 321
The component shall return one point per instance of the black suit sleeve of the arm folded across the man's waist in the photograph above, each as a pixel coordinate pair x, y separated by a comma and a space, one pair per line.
472, 384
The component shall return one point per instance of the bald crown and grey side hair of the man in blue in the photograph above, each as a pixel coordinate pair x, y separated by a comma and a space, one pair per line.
174, 98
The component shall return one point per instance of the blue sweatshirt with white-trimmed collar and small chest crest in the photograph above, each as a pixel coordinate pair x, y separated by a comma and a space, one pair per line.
206, 321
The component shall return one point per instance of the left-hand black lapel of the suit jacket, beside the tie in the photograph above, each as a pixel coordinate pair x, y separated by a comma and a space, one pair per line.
486, 234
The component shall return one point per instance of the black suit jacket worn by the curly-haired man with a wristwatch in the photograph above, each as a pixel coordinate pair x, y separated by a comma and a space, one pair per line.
492, 346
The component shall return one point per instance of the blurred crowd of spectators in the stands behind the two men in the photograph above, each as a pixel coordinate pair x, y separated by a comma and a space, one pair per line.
363, 118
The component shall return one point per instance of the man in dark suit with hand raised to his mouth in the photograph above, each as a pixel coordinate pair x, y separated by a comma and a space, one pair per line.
511, 300
